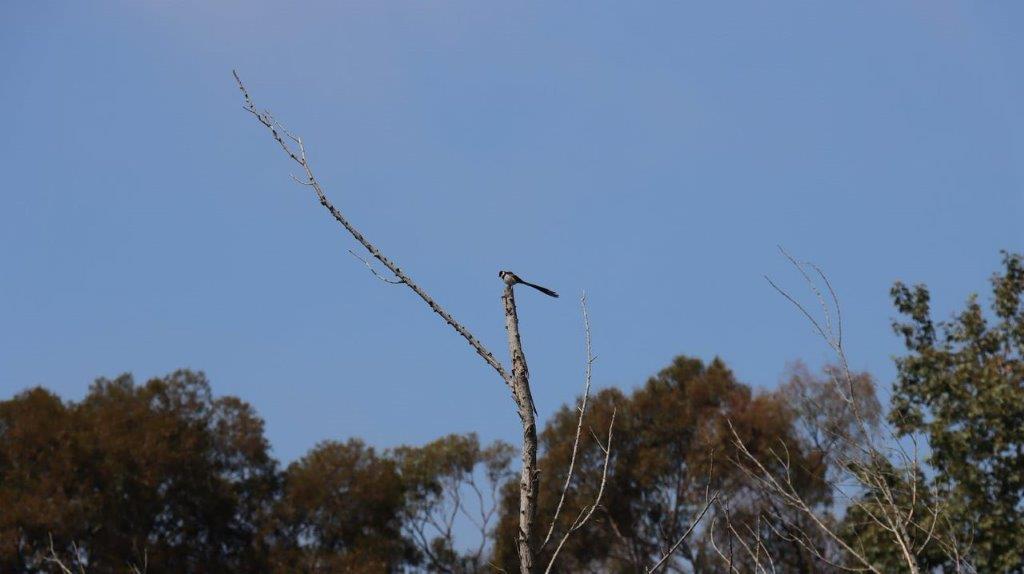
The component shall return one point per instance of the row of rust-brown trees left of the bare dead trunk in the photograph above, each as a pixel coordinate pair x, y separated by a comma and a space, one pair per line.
167, 478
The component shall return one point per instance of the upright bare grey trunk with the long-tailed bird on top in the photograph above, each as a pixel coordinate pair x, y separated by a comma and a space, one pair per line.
525, 401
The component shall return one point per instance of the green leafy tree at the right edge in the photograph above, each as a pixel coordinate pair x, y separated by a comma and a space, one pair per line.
962, 386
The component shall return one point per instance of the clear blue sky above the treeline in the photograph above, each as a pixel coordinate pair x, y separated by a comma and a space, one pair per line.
651, 154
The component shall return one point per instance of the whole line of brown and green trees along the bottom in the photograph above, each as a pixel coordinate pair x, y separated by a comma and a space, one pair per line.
165, 477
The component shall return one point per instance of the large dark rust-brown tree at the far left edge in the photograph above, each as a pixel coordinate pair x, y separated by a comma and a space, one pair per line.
162, 474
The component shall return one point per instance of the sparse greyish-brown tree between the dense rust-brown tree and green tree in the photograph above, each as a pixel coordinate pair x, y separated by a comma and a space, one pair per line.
832, 432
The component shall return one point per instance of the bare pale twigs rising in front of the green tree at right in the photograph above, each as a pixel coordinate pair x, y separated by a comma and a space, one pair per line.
880, 477
